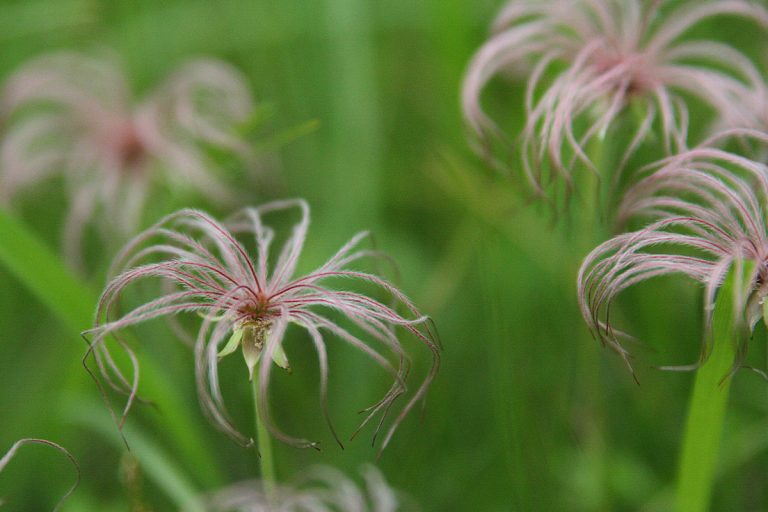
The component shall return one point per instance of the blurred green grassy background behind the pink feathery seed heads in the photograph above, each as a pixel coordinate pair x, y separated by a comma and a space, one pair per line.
528, 412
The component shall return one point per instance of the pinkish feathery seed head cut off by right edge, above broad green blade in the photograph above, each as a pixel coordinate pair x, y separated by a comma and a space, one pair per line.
707, 208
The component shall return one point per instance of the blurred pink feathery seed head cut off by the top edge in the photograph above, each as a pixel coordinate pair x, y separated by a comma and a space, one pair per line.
584, 61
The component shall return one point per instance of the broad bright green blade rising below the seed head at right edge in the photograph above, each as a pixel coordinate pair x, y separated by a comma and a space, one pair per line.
706, 413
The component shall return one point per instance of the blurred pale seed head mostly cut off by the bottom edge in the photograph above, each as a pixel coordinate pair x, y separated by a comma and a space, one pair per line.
324, 489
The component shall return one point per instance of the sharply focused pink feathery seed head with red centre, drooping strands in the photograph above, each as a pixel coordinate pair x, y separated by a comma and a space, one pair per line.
240, 295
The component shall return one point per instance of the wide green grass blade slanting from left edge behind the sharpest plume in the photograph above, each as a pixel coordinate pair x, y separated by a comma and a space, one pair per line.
73, 303
